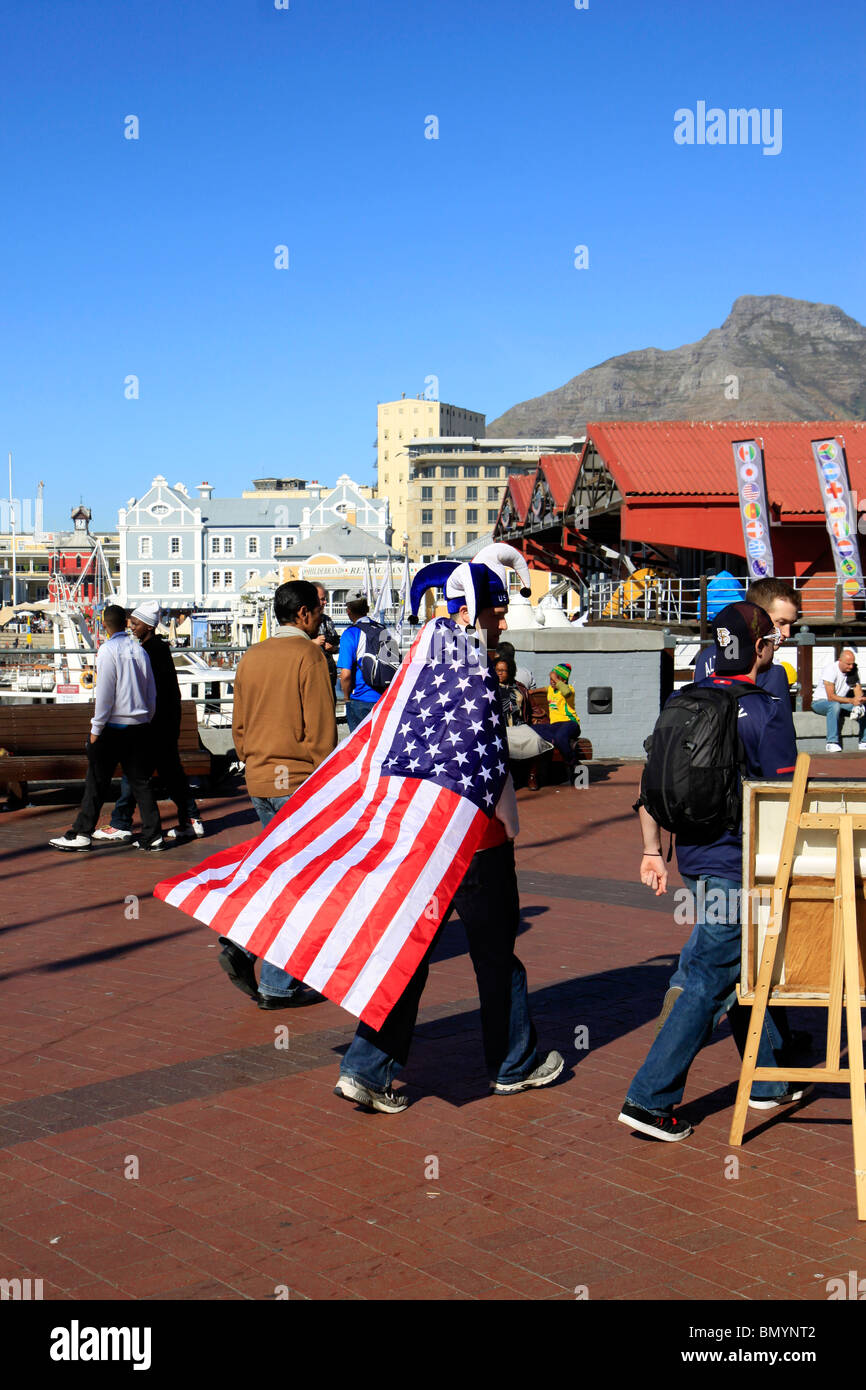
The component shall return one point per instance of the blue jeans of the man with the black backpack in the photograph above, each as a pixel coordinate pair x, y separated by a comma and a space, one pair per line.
712, 972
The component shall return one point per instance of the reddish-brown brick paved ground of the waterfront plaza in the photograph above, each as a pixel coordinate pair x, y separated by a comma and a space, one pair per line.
124, 1046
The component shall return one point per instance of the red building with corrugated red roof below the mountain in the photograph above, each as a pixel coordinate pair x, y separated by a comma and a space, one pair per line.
665, 496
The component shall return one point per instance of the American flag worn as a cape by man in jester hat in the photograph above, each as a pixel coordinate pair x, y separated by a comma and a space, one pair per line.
348, 885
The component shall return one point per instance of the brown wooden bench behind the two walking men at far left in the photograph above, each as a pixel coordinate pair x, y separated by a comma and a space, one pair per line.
48, 743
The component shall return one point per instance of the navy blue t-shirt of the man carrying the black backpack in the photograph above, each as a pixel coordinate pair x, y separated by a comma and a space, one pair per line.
769, 746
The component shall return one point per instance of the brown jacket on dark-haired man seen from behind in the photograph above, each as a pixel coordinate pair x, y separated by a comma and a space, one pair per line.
284, 721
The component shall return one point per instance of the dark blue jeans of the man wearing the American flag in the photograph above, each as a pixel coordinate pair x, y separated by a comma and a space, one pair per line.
489, 906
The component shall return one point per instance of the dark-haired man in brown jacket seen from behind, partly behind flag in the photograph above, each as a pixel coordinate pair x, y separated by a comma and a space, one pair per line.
284, 726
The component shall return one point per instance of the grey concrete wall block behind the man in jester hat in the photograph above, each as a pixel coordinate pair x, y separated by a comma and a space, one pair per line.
633, 661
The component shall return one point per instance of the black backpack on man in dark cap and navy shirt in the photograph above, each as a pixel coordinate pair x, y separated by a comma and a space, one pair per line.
692, 783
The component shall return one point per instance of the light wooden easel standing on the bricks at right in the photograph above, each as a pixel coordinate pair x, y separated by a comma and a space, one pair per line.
844, 975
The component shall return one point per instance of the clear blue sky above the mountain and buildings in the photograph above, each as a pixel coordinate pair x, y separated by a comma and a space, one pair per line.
408, 256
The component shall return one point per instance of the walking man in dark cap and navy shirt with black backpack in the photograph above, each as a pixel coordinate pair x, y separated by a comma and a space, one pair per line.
712, 871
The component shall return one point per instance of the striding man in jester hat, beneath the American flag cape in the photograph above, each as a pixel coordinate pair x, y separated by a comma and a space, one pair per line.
487, 900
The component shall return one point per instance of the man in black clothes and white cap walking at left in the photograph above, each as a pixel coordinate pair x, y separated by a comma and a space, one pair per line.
166, 729
